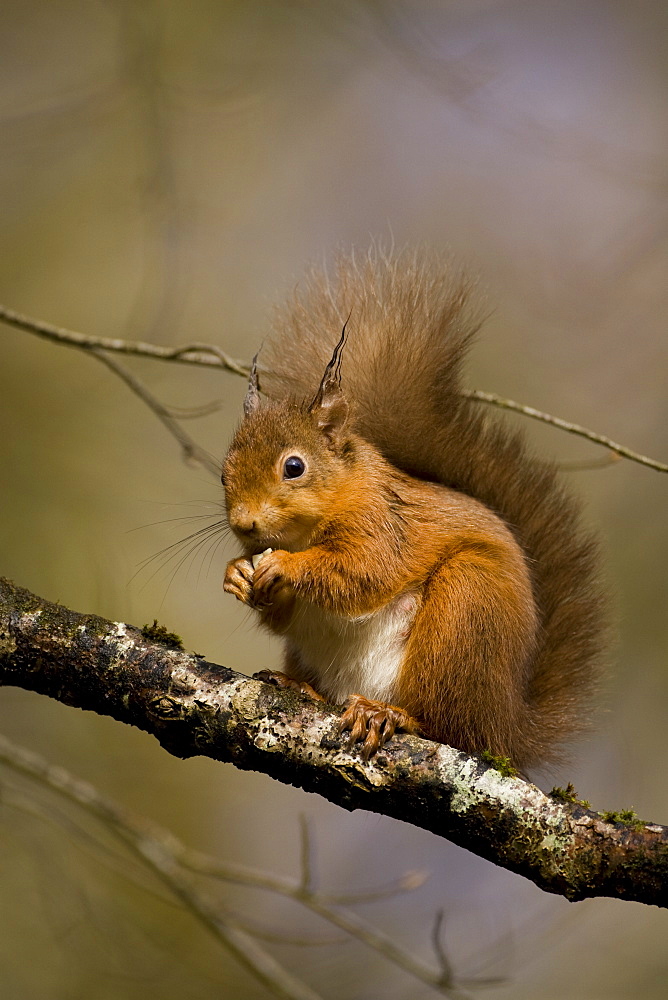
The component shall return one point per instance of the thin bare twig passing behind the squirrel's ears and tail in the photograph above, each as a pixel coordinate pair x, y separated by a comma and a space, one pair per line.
211, 356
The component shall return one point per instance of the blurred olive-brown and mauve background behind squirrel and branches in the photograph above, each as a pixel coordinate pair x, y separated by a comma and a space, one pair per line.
167, 171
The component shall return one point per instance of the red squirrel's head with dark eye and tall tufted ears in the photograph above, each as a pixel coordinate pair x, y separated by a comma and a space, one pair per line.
286, 462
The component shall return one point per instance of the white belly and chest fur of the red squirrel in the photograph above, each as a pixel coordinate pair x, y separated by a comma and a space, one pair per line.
343, 656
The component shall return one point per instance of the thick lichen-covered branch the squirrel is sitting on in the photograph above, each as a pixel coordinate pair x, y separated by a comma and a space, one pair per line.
194, 707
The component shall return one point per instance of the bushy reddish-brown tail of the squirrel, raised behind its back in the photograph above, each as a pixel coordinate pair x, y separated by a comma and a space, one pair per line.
410, 323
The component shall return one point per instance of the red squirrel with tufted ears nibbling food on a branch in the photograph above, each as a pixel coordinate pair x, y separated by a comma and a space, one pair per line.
419, 563
